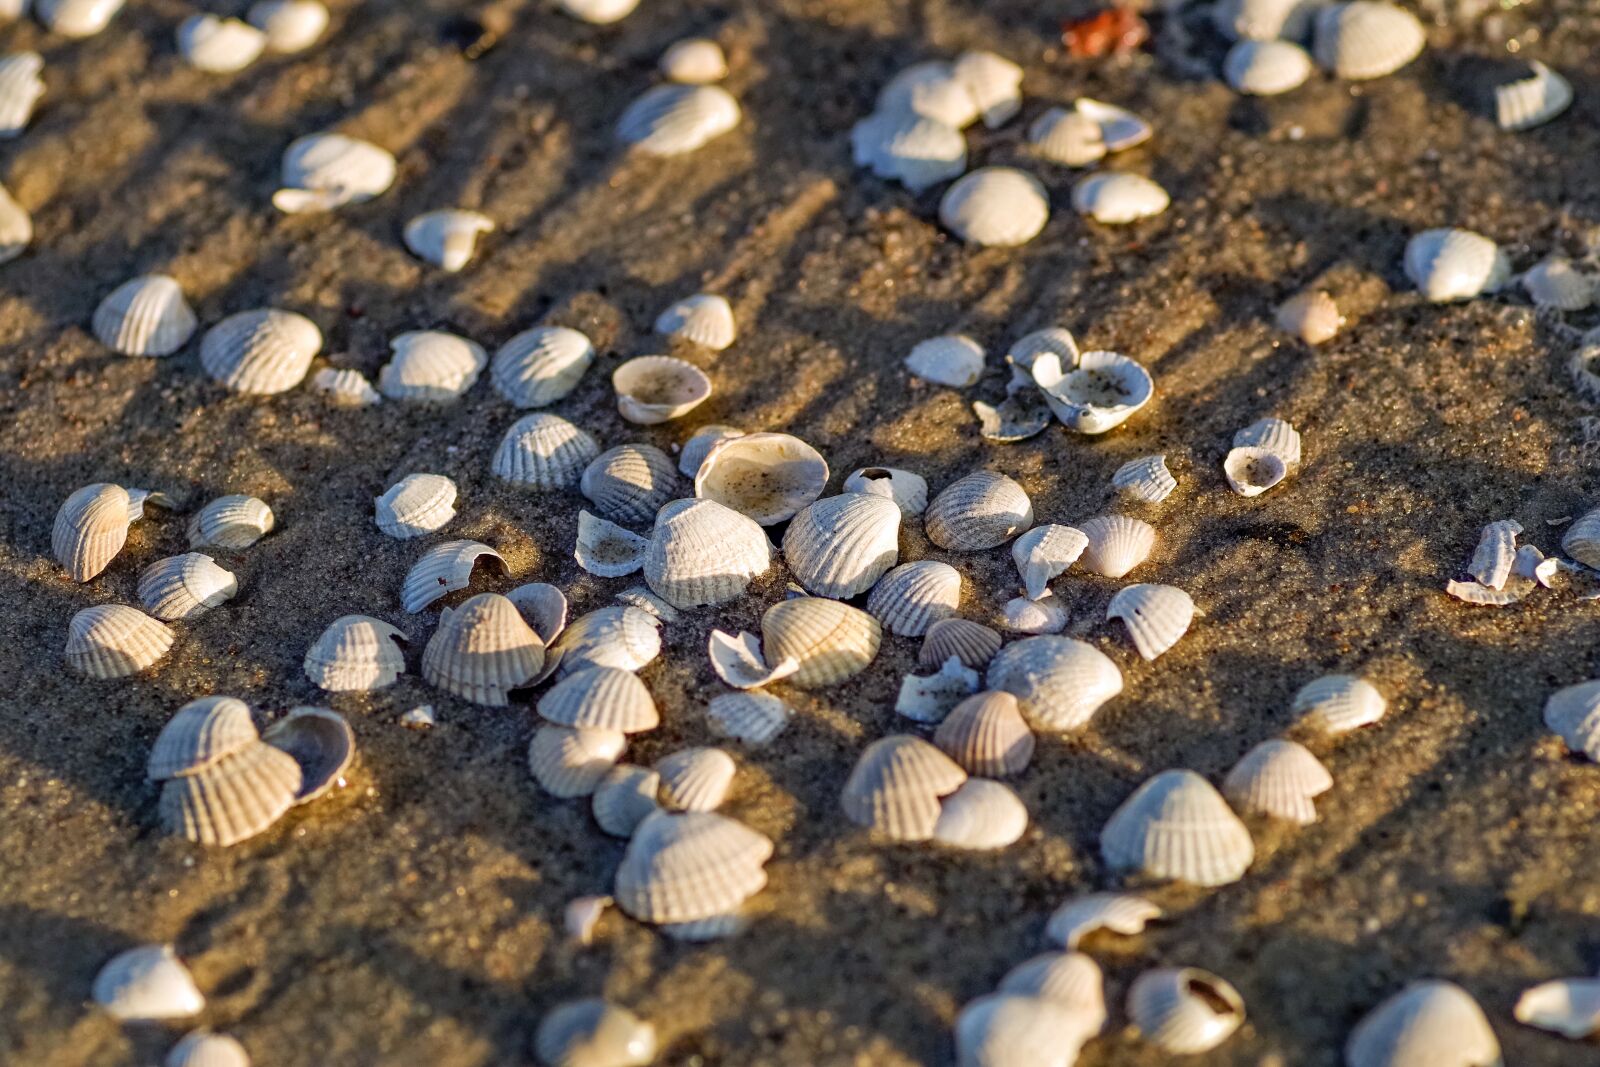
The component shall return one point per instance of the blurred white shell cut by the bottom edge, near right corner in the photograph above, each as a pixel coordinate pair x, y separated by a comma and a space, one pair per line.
1430, 1023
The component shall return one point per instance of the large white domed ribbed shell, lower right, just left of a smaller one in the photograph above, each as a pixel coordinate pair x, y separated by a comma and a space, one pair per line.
1177, 828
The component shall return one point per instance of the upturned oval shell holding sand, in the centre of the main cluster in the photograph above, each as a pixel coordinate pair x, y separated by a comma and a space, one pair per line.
769, 478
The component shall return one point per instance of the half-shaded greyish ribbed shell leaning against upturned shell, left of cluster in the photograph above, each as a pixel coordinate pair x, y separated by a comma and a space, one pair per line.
482, 652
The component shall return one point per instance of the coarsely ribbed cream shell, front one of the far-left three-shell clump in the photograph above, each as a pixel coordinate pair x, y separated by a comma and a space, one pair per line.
234, 799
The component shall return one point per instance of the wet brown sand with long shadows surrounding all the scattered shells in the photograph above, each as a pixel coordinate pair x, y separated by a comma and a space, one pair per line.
415, 917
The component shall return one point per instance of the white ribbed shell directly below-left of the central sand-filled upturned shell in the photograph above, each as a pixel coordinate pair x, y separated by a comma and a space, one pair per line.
705, 554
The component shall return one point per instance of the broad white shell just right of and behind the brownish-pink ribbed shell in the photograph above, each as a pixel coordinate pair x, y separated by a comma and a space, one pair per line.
1058, 682
